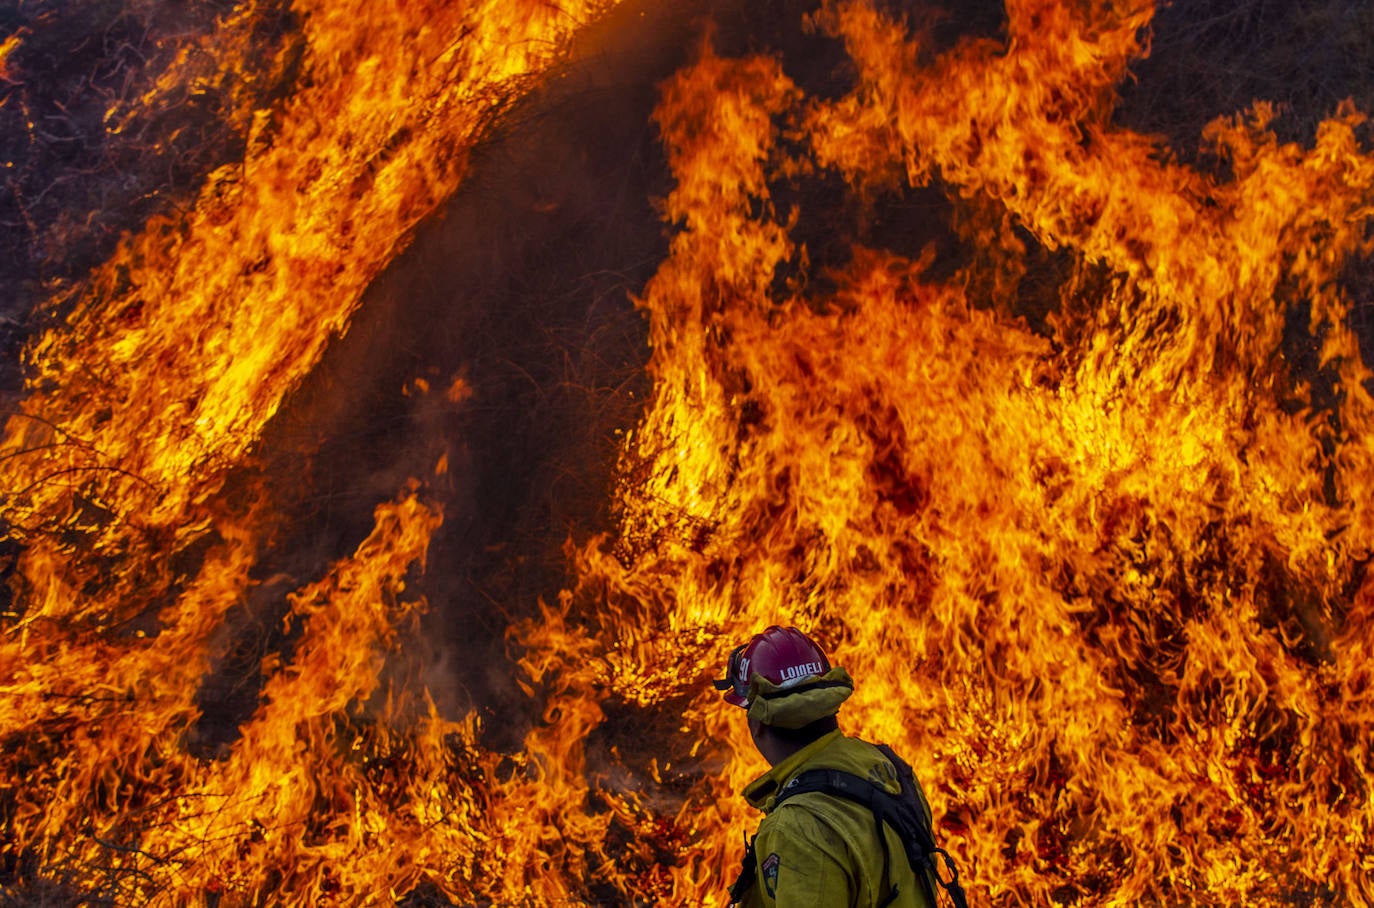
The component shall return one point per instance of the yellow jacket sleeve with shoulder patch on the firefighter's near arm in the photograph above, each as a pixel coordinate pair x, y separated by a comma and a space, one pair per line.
803, 862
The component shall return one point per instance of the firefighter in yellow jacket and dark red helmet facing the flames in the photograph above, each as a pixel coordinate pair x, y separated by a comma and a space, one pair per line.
815, 848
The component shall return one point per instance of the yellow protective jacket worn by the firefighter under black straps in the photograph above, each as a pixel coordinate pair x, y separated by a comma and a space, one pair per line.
822, 851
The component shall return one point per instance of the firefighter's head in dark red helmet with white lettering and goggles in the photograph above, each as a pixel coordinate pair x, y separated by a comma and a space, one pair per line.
787, 686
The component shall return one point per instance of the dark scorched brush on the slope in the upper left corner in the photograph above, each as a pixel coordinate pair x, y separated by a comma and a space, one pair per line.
112, 113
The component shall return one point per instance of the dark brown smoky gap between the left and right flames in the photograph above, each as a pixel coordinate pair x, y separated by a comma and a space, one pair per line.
498, 361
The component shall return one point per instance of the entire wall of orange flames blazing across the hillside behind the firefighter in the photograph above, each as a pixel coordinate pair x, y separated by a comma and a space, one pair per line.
1100, 576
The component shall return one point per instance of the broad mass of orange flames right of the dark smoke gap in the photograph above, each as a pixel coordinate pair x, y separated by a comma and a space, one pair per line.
1104, 583
